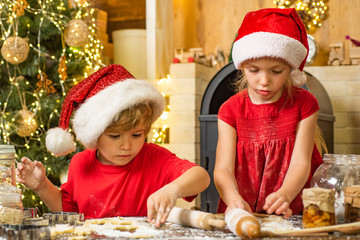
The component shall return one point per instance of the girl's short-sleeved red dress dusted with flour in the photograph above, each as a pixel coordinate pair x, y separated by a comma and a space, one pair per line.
266, 137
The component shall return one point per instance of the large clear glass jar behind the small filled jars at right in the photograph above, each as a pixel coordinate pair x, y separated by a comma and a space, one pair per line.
337, 171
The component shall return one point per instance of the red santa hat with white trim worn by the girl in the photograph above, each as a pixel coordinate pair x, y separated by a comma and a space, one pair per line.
273, 32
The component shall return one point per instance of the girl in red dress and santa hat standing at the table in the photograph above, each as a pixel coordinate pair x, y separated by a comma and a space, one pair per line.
265, 153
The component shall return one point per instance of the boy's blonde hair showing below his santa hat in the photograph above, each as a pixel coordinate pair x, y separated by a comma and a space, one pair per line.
136, 115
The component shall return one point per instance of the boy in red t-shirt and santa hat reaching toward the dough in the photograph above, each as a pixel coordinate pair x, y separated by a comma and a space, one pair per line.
118, 174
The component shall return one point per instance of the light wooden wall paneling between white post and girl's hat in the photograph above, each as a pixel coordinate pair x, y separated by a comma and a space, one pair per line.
210, 23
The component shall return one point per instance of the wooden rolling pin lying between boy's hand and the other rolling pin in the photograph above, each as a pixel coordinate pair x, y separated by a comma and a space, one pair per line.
195, 219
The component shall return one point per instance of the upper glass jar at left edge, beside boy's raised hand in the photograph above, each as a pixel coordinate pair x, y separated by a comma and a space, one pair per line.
7, 164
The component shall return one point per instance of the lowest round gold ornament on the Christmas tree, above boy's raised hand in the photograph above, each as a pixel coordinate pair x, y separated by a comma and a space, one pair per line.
26, 123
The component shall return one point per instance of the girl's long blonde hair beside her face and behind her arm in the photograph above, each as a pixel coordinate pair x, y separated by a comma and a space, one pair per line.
241, 83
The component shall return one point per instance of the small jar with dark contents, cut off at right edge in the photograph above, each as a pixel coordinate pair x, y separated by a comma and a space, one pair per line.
352, 203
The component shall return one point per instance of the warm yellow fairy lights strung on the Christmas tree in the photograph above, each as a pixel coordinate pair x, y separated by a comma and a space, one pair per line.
91, 51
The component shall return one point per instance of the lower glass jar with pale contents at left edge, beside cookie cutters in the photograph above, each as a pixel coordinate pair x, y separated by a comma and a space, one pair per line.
11, 207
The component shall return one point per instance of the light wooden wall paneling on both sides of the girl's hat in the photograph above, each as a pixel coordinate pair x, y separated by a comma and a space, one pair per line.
212, 23
